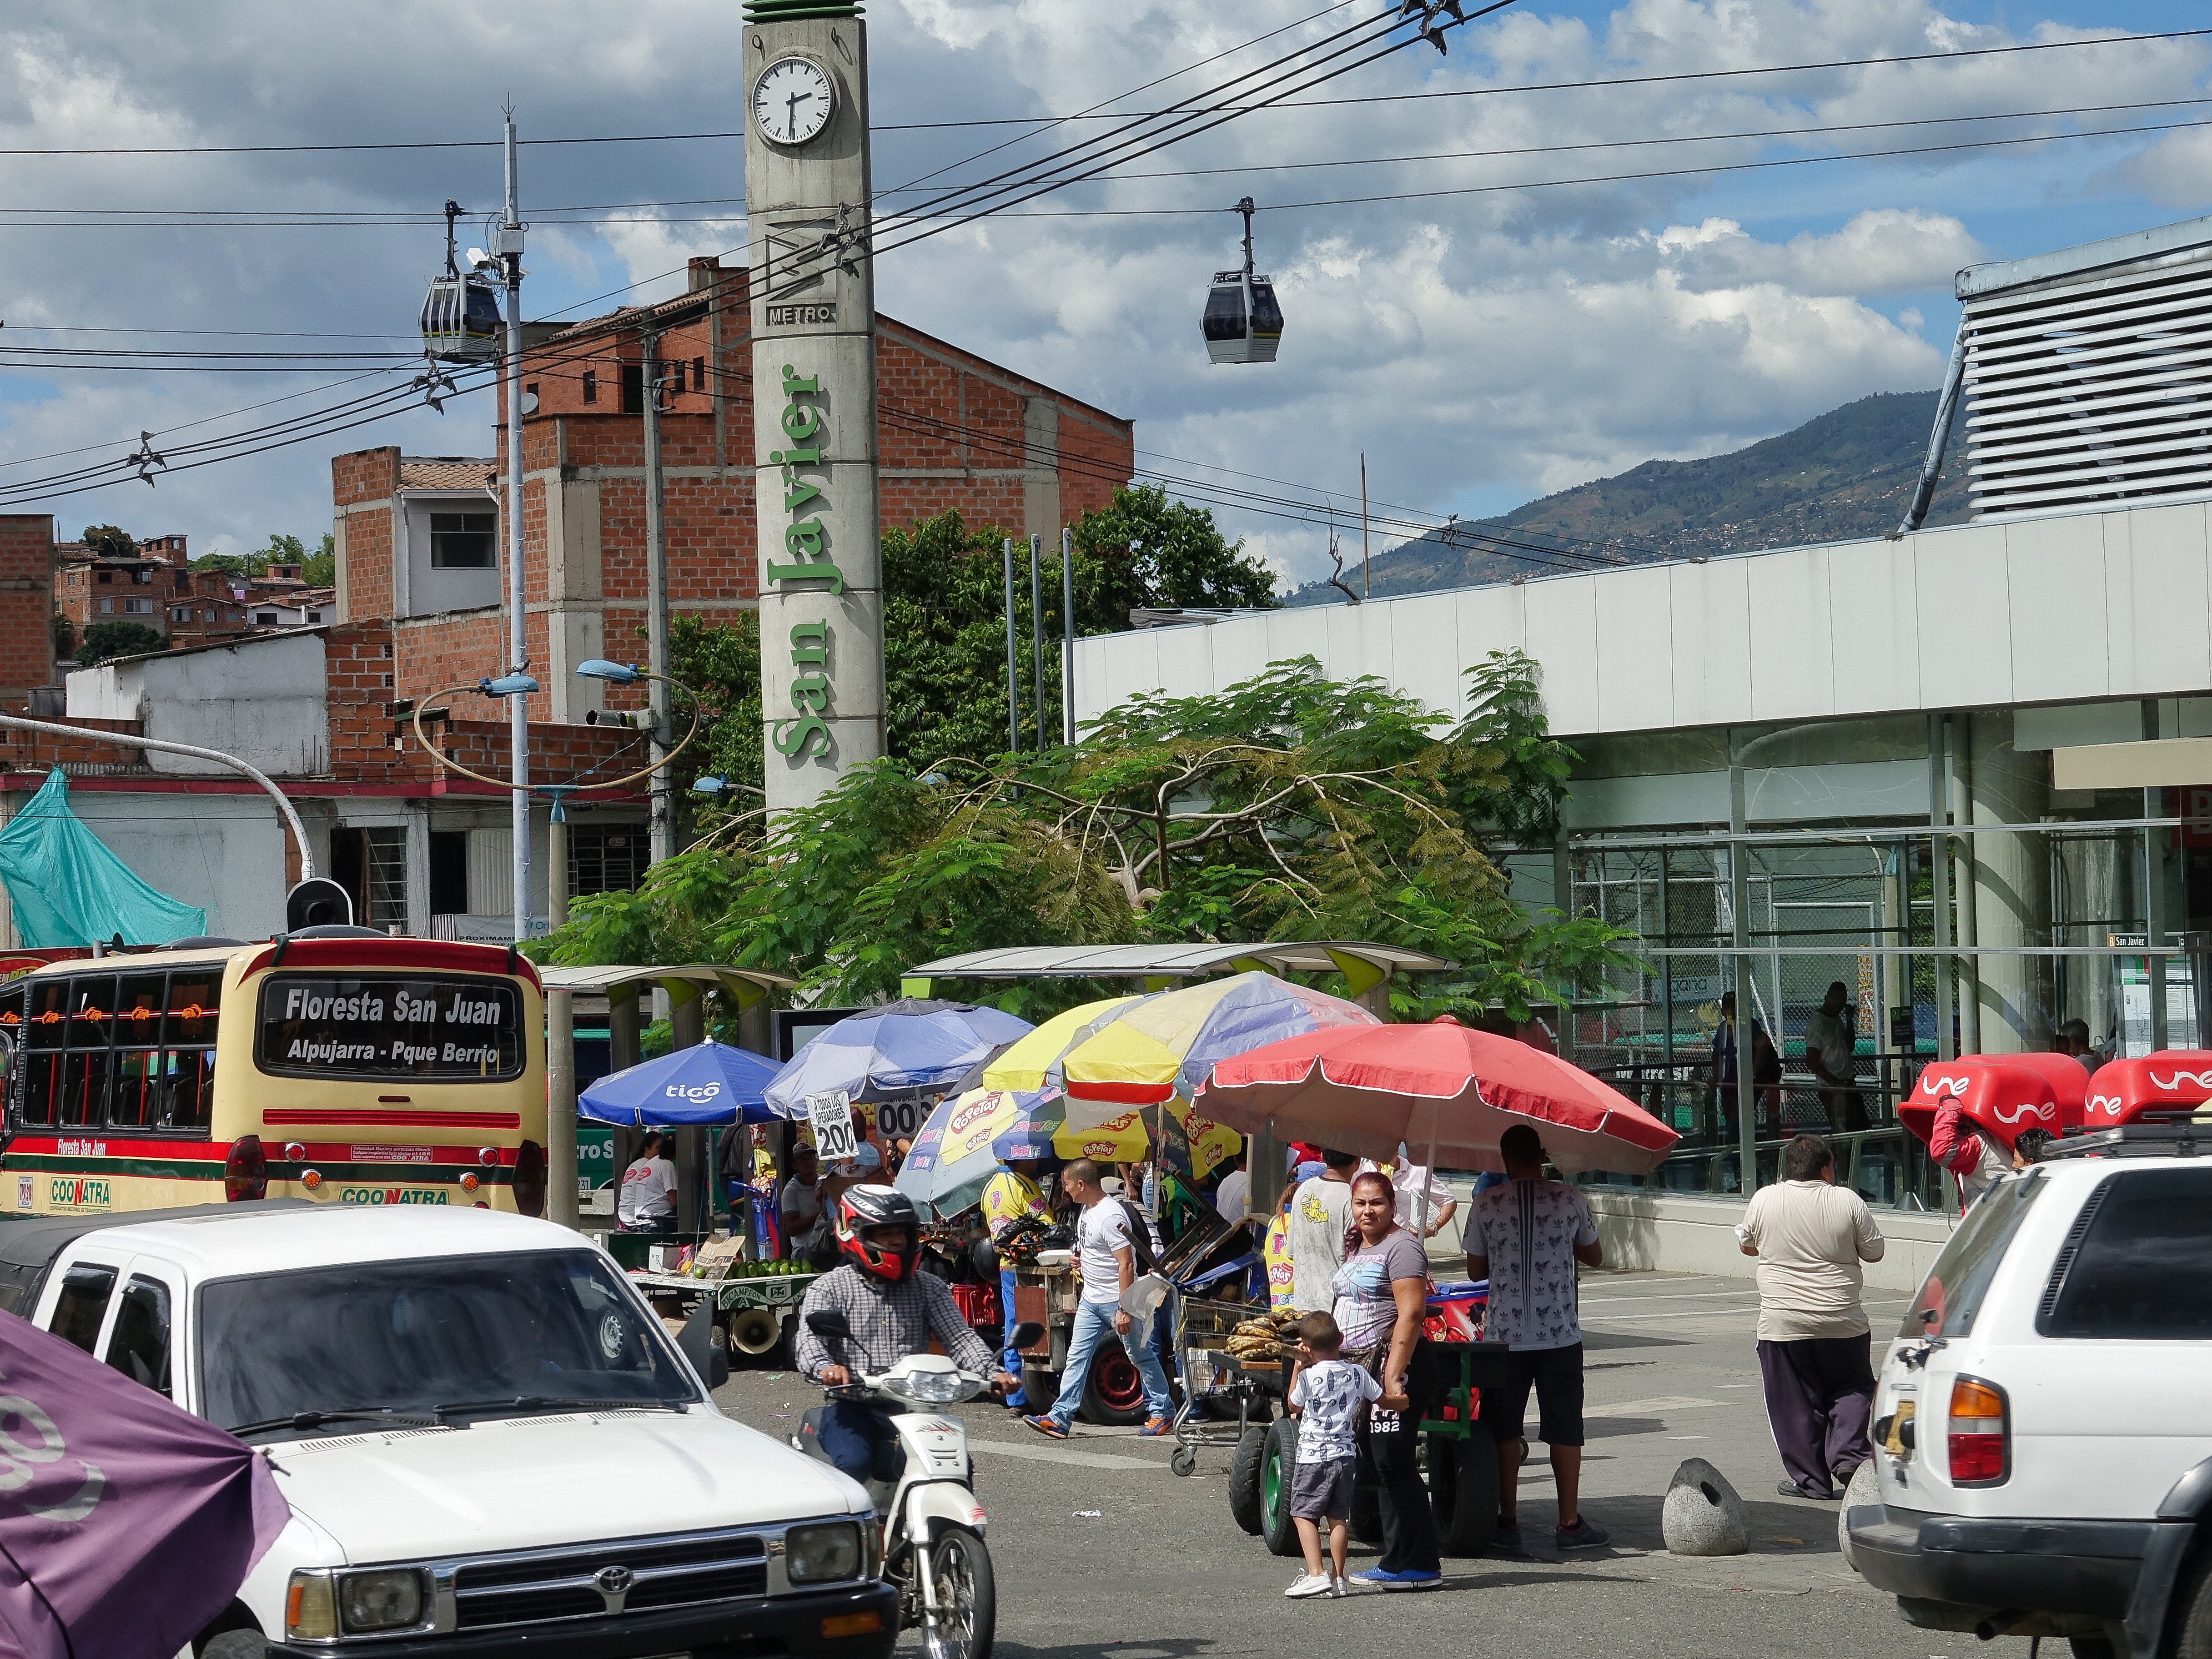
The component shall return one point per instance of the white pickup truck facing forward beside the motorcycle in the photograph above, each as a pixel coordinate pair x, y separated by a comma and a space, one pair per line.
488, 1439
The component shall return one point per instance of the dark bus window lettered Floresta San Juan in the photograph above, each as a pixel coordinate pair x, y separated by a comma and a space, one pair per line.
435, 1027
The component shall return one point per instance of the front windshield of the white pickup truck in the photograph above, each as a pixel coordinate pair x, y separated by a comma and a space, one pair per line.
419, 1335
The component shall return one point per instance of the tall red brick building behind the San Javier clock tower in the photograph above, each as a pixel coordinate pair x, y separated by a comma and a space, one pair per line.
954, 430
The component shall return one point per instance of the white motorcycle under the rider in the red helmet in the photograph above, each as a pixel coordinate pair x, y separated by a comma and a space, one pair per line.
924, 1492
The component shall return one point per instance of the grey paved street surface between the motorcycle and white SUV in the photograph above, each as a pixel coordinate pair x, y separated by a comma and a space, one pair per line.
1105, 1554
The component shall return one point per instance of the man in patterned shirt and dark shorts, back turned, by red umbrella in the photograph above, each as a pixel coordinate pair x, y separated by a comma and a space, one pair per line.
1527, 1238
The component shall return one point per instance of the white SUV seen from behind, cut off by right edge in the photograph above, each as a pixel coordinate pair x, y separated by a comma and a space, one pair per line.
2045, 1417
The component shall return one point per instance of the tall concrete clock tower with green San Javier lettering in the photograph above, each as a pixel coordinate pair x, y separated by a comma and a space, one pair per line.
813, 395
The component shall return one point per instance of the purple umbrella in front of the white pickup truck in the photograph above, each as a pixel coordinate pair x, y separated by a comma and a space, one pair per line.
125, 1521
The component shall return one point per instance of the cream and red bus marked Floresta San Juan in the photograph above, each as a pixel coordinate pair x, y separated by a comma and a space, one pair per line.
333, 1065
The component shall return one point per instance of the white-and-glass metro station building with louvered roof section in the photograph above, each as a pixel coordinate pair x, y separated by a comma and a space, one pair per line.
1791, 753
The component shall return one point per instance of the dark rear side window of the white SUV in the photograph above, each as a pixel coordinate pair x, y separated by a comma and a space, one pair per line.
2138, 1262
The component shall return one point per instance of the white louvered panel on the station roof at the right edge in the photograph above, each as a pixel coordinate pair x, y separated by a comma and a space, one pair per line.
2091, 390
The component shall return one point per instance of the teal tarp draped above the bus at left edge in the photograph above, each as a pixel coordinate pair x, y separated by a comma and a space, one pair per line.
70, 890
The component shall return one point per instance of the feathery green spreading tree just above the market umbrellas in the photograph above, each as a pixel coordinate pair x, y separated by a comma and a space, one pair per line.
1284, 808
